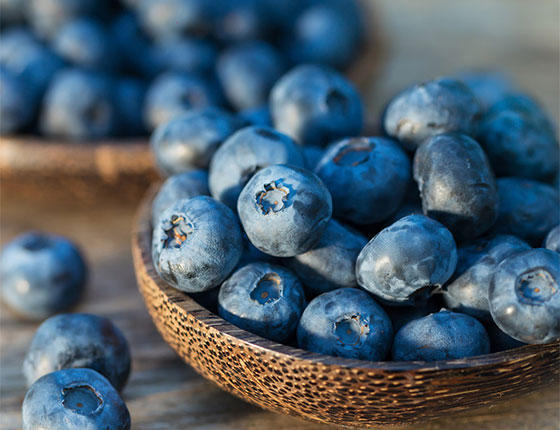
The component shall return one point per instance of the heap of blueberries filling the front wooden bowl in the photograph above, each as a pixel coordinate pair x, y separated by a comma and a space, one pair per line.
436, 240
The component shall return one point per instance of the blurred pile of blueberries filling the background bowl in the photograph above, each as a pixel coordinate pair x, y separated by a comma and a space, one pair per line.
89, 69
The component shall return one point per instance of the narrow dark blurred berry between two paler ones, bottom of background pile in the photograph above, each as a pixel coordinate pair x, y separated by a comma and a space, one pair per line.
129, 99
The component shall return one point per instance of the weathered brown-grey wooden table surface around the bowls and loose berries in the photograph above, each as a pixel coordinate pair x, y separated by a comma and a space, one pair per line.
431, 37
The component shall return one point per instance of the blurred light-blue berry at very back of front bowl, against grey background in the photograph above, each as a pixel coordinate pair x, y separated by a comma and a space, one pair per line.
487, 86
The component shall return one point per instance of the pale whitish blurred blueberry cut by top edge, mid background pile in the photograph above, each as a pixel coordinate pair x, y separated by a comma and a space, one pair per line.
171, 19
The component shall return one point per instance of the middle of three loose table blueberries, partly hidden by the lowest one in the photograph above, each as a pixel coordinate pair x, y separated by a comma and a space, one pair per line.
78, 340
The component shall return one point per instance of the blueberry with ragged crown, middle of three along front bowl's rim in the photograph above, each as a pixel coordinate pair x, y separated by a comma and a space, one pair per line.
346, 323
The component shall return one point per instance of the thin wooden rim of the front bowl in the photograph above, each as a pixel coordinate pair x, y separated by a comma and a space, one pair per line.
141, 241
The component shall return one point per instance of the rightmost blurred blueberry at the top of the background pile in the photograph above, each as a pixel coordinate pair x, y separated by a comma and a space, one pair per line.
327, 32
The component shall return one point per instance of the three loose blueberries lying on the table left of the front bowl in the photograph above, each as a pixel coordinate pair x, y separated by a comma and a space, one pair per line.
76, 363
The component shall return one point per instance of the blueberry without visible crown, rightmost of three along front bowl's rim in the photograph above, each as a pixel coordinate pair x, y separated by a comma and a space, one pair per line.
441, 336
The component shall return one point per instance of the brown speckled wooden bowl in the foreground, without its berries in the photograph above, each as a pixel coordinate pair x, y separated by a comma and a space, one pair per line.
323, 388
